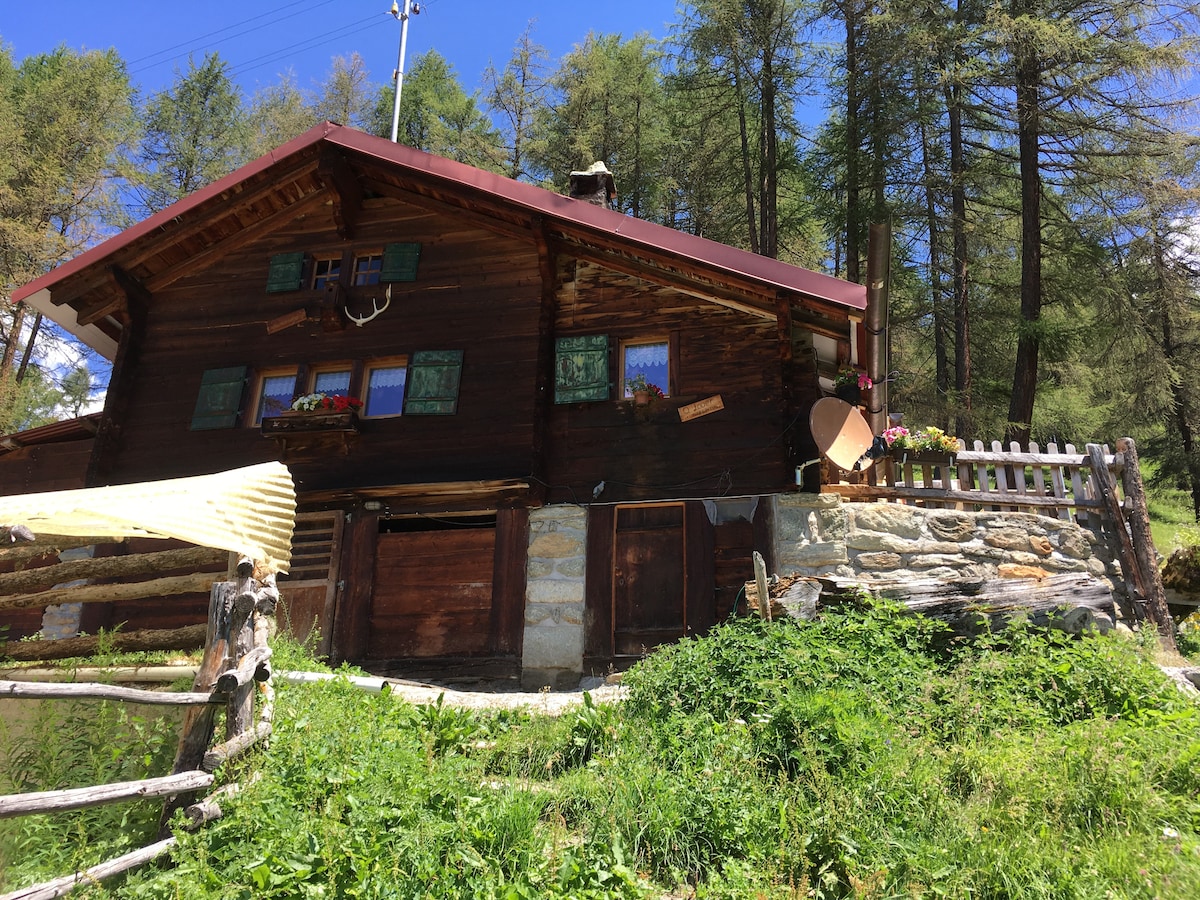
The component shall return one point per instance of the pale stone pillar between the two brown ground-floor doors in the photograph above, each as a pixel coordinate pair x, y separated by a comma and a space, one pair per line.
554, 617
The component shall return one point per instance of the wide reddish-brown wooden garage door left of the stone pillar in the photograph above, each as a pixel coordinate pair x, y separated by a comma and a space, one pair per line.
433, 595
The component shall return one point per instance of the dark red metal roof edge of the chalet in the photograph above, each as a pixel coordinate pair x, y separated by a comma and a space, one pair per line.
633, 231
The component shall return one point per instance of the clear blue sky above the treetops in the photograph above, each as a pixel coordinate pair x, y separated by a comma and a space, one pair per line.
265, 39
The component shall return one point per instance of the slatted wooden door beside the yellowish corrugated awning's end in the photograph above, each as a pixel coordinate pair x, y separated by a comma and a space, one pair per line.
309, 592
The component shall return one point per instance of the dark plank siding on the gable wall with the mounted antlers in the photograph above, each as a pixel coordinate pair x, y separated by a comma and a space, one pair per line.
475, 292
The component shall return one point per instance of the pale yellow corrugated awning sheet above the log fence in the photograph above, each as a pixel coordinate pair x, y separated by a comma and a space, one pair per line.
249, 511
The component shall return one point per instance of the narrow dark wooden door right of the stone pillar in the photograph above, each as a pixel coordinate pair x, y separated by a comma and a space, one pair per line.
650, 585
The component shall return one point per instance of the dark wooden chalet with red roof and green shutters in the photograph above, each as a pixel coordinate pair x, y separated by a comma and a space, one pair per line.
489, 328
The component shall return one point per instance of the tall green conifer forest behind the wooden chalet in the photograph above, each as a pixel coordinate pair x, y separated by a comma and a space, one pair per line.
1037, 161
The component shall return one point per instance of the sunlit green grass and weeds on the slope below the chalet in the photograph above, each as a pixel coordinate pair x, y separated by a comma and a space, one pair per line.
861, 755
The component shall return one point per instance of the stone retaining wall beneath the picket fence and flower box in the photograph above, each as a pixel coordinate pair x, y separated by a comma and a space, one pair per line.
819, 535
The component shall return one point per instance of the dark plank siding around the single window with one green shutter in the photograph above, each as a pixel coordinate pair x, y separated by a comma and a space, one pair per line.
651, 454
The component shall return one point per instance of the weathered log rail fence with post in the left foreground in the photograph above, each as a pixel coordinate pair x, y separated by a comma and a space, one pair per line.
236, 670
